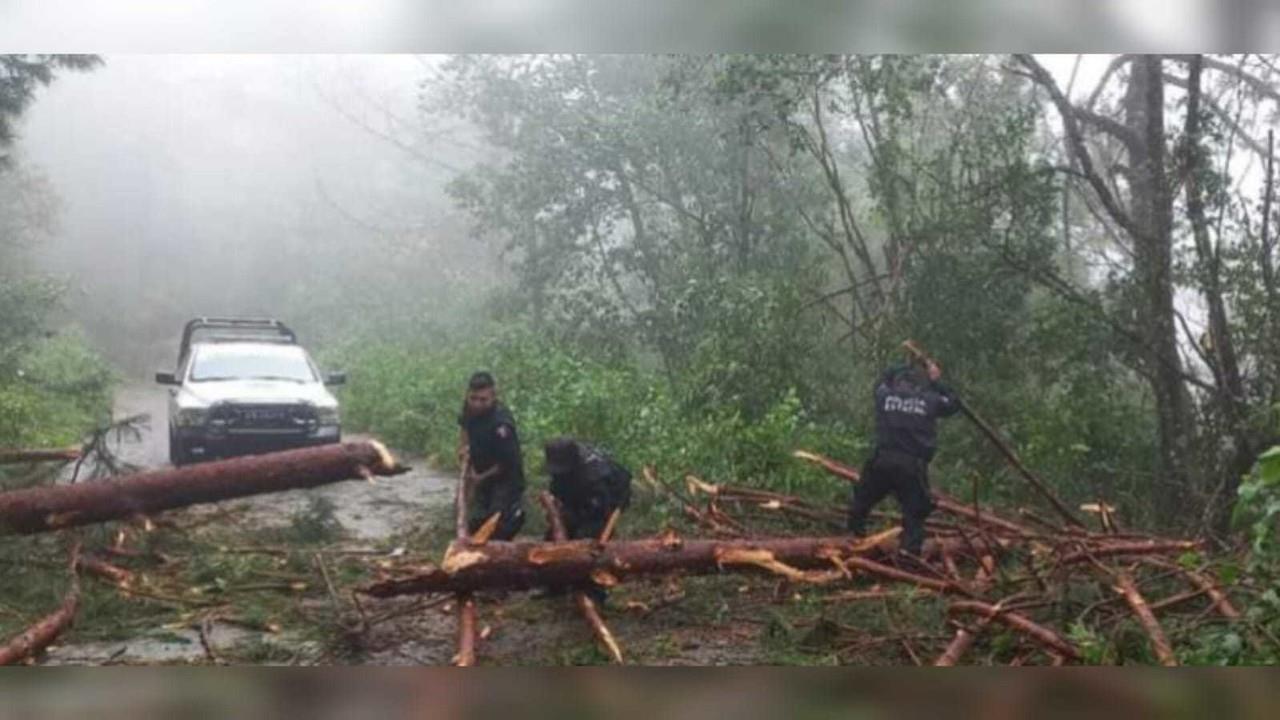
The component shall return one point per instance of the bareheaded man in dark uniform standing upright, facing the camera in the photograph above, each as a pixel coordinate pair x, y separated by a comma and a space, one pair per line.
496, 472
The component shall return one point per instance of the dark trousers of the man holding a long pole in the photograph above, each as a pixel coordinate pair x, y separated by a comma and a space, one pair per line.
908, 480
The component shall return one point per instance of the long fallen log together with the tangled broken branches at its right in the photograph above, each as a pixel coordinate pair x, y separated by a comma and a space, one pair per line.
1027, 577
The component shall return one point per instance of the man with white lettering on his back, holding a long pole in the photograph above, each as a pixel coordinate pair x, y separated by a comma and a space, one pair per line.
909, 400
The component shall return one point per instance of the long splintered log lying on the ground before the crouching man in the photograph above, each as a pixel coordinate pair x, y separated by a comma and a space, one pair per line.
524, 566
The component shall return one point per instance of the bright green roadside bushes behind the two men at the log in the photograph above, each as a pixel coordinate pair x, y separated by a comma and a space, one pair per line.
413, 398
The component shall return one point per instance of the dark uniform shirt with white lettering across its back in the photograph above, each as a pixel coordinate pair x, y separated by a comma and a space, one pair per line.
907, 414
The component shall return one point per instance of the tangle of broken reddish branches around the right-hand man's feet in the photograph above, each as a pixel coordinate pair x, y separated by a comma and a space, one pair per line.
1031, 576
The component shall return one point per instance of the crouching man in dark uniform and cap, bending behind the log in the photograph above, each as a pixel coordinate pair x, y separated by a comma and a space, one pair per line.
589, 486
